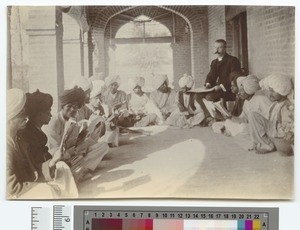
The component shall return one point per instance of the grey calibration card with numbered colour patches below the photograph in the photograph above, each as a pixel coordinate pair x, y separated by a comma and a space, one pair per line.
175, 218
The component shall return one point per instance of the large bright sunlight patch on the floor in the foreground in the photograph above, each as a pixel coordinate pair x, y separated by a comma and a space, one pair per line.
160, 174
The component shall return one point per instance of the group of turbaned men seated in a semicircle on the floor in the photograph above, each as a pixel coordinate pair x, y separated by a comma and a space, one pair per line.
42, 165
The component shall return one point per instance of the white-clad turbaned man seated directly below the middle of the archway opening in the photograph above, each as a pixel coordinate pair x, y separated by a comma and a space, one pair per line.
142, 110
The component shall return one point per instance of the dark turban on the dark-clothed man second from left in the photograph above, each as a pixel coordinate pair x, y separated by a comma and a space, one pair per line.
37, 102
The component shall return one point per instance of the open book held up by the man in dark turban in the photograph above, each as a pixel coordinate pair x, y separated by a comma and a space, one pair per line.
76, 133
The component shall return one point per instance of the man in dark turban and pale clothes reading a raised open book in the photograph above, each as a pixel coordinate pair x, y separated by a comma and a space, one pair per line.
83, 159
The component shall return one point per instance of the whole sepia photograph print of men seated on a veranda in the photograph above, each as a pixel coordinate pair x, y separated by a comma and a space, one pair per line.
150, 101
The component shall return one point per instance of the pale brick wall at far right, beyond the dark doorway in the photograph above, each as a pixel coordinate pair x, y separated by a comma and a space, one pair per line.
271, 40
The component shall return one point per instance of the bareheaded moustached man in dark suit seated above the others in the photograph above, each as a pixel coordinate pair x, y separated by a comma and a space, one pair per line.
219, 78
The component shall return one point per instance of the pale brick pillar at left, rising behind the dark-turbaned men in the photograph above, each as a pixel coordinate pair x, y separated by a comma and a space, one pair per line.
45, 54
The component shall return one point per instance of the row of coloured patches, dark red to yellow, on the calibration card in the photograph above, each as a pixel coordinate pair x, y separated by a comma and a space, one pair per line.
158, 224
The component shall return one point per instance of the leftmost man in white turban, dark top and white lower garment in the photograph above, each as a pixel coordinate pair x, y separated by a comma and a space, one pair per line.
30, 176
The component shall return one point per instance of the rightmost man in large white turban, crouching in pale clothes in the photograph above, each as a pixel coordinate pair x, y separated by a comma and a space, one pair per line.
269, 131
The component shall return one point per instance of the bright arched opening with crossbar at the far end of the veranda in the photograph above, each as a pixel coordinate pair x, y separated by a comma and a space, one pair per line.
141, 47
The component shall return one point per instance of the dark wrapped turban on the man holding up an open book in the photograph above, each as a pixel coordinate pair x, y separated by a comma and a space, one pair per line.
73, 96
